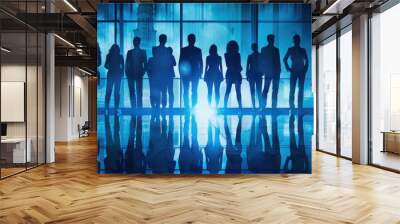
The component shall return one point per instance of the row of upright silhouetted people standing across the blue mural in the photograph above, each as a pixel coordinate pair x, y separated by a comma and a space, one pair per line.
160, 70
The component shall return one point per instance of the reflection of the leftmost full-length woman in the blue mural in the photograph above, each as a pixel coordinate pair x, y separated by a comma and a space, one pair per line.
113, 163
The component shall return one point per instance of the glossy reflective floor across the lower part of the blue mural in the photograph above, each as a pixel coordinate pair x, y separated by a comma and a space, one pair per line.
201, 143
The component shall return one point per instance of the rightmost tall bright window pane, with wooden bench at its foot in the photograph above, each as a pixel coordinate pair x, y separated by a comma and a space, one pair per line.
385, 88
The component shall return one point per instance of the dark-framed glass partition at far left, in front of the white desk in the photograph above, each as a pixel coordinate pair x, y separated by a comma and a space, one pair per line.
22, 91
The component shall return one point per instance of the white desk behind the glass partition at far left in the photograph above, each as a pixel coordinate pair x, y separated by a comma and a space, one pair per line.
13, 150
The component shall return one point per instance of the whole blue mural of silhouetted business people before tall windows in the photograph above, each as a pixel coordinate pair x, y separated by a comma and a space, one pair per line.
204, 88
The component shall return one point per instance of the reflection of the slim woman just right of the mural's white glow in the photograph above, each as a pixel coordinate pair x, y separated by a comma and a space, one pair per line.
213, 150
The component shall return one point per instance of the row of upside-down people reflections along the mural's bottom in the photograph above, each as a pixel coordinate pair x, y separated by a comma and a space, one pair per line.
264, 153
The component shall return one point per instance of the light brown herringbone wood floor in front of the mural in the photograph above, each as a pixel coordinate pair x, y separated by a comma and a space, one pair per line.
70, 191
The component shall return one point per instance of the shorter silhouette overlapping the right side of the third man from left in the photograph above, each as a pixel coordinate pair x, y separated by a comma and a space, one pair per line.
168, 83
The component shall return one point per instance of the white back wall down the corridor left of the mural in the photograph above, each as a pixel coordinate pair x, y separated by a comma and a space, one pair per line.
71, 102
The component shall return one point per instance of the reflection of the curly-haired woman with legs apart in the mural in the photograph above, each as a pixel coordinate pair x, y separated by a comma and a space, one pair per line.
233, 152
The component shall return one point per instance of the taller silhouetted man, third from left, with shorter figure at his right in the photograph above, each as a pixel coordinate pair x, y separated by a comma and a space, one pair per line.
162, 60
